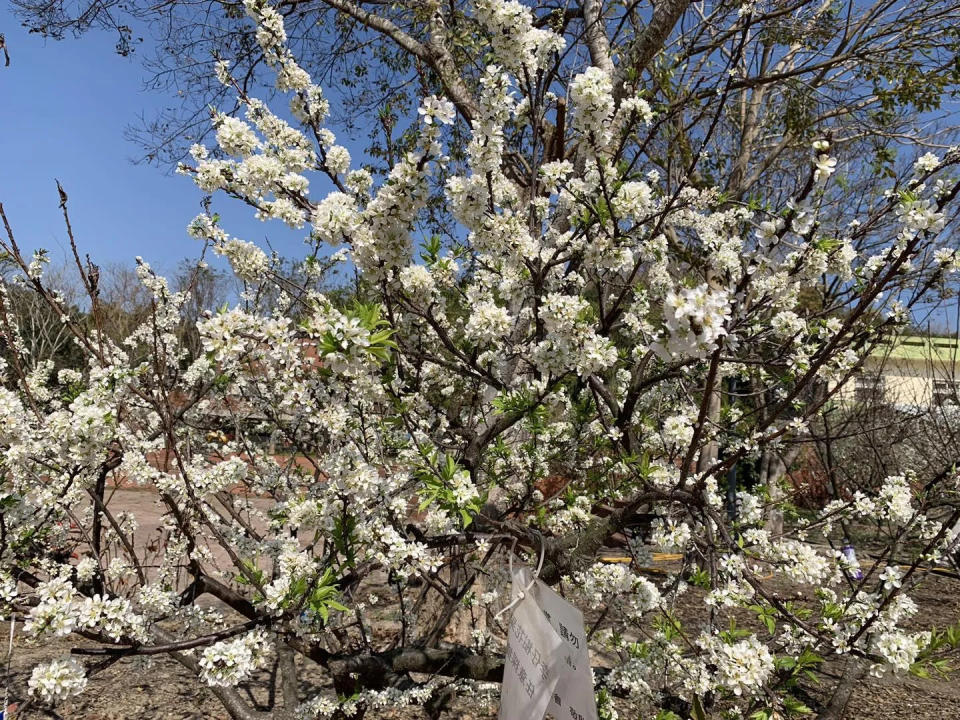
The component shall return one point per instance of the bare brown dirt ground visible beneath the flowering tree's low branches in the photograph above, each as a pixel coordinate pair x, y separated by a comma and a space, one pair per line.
159, 688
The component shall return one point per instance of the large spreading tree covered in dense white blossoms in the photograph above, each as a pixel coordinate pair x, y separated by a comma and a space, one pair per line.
538, 362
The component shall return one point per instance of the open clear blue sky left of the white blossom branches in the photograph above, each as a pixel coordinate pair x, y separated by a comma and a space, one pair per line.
63, 109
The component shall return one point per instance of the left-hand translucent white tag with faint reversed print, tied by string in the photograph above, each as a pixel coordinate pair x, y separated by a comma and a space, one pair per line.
532, 664
